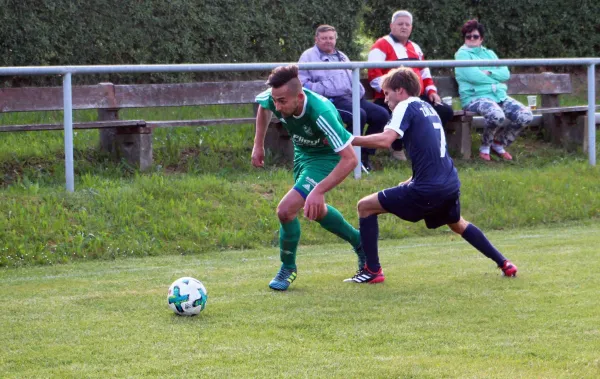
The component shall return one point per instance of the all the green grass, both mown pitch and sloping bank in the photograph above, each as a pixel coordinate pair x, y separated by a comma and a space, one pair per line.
84, 276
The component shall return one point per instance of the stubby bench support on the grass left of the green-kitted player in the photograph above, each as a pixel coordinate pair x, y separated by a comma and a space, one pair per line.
135, 146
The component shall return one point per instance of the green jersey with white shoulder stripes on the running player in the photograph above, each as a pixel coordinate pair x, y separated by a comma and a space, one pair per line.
318, 132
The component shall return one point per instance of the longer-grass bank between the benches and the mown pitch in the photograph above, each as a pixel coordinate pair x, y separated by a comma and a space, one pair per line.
204, 195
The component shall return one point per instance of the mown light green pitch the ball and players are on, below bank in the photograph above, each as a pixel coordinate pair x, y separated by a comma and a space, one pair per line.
444, 311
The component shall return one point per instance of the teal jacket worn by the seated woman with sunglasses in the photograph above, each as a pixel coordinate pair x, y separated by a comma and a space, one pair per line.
473, 83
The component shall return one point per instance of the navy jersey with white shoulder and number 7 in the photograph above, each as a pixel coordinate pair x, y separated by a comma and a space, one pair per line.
420, 128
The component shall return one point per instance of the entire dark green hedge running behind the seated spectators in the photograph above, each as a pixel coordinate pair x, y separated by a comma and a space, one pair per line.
76, 32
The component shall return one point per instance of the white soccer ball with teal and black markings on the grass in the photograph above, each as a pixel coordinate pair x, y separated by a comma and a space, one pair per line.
187, 296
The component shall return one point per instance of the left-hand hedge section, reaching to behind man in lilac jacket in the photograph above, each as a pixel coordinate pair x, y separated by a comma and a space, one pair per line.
65, 32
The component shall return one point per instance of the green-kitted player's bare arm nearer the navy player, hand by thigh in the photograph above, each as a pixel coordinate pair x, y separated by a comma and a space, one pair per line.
315, 201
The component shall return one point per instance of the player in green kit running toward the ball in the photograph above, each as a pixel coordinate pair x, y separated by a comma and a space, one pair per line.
323, 157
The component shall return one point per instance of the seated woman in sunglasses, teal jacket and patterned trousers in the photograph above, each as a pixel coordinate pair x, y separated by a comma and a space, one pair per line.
482, 90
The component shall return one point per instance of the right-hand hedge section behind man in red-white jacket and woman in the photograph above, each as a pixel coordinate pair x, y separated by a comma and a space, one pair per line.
515, 29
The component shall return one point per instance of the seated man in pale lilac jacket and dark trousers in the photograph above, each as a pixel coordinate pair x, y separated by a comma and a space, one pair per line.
336, 85
